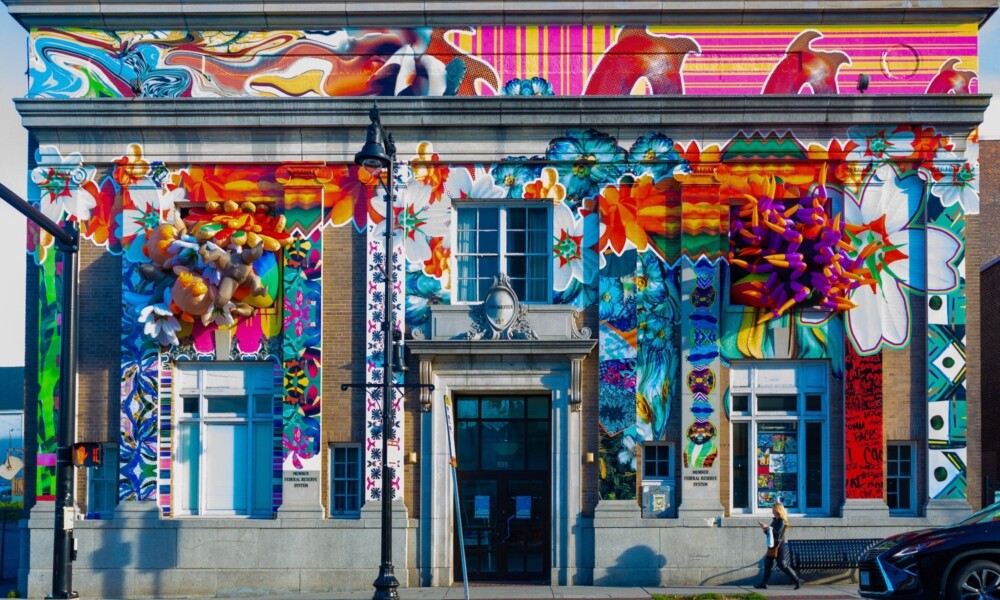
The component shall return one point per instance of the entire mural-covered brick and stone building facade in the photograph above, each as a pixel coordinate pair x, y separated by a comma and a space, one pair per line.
662, 266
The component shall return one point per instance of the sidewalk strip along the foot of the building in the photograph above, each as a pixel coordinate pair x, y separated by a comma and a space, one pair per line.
533, 592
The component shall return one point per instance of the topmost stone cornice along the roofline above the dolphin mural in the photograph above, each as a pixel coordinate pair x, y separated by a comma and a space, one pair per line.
321, 14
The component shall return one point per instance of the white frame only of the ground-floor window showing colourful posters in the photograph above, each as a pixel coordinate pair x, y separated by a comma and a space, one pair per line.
801, 378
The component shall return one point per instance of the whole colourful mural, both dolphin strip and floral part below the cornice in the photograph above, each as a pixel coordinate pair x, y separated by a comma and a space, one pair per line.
826, 241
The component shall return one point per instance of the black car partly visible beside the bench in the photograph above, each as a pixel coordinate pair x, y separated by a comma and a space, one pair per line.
959, 561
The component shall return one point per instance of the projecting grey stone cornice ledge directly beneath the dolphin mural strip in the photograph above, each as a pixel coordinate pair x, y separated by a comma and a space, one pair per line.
419, 113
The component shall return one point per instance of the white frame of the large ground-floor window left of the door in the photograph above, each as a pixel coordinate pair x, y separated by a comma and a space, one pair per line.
205, 381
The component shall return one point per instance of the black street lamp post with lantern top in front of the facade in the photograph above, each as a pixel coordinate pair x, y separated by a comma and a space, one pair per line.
378, 153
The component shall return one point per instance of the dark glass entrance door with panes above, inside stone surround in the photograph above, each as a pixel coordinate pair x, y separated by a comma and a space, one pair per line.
504, 483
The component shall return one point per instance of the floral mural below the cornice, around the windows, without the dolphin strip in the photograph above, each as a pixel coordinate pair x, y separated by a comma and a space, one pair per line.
628, 216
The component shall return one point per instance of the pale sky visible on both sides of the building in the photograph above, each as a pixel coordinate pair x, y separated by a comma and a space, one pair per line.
13, 166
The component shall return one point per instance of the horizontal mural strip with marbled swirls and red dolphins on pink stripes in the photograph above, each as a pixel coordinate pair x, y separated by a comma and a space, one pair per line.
505, 60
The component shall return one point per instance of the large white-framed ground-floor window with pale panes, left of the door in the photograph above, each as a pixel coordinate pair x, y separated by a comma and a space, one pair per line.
224, 439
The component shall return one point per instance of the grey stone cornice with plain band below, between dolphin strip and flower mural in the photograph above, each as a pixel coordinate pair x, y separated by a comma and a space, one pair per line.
468, 129
